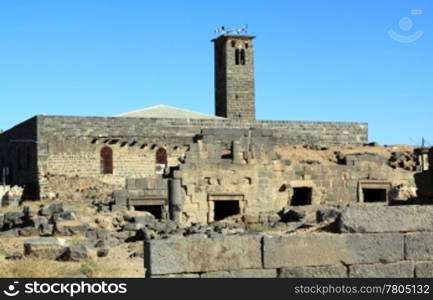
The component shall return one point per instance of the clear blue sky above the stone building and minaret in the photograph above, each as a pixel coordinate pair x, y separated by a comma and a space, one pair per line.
315, 60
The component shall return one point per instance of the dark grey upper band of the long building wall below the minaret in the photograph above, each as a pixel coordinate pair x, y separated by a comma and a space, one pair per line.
321, 132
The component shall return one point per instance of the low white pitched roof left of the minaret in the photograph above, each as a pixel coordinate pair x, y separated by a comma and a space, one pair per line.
164, 111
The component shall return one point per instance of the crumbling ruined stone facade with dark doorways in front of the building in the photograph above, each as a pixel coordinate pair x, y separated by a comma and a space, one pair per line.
248, 167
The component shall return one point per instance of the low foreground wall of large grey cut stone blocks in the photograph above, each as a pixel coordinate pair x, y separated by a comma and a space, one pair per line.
376, 250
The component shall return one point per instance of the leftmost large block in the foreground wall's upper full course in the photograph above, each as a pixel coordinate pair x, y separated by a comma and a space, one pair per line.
192, 255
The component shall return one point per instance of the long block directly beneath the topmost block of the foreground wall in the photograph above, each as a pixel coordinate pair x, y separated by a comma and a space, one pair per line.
331, 249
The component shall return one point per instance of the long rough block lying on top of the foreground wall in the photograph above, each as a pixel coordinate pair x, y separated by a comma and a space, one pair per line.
382, 219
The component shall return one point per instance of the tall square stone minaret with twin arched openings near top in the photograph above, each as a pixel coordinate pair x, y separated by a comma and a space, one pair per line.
234, 77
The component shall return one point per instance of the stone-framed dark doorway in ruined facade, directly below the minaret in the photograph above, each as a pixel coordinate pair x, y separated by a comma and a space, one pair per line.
221, 206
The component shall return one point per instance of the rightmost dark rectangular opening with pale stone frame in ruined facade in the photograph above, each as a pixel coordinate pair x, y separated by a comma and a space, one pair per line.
374, 191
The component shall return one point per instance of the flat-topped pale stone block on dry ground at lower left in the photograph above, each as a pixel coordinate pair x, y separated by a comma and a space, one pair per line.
48, 248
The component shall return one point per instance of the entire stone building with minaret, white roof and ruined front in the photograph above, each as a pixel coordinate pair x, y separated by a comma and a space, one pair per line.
194, 167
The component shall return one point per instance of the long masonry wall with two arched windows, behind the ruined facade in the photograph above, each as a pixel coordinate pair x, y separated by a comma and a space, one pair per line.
70, 146
